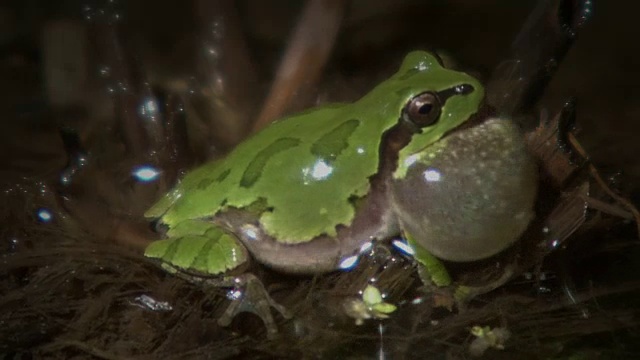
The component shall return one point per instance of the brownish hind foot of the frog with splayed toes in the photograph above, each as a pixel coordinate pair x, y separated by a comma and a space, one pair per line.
249, 295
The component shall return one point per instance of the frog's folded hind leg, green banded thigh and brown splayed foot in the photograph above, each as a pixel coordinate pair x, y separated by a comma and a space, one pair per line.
201, 253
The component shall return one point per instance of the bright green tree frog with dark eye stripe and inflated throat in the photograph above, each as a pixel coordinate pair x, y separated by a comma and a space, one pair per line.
420, 154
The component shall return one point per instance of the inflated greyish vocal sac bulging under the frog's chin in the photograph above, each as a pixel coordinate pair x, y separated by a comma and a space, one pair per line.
471, 195
